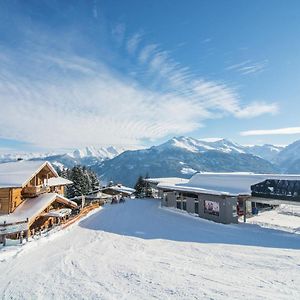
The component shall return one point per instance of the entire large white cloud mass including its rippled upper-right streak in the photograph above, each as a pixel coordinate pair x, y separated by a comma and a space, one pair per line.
66, 101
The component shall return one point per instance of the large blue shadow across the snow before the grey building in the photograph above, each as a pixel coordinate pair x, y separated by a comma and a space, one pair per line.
144, 219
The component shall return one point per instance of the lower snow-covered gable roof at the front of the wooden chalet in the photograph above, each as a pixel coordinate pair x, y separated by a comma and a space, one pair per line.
30, 208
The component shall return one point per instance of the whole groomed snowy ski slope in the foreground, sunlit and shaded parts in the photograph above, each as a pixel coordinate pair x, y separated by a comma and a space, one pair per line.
137, 250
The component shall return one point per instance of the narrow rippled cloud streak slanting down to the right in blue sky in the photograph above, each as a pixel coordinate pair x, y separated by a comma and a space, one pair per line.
213, 95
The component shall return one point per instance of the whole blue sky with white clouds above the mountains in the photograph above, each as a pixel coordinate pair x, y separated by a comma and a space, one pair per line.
76, 73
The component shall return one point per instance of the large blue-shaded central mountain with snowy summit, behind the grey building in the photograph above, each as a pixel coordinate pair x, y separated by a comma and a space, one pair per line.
183, 156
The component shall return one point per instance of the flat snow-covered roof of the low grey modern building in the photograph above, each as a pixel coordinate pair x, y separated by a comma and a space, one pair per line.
224, 183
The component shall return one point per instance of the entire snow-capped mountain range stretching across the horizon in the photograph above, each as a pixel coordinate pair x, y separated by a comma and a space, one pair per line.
179, 156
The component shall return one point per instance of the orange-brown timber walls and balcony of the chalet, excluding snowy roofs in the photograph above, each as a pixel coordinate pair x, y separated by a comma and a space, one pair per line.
33, 189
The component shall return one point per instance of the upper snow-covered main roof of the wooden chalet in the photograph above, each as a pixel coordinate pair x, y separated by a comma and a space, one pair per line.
19, 173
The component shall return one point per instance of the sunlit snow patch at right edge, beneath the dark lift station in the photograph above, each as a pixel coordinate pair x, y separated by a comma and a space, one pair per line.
285, 217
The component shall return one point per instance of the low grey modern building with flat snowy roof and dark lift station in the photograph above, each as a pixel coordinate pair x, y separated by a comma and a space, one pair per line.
222, 197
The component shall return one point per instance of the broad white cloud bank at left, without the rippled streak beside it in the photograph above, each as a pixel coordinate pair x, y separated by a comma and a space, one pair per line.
97, 107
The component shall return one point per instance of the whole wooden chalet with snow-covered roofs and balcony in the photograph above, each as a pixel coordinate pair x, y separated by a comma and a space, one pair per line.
31, 197
